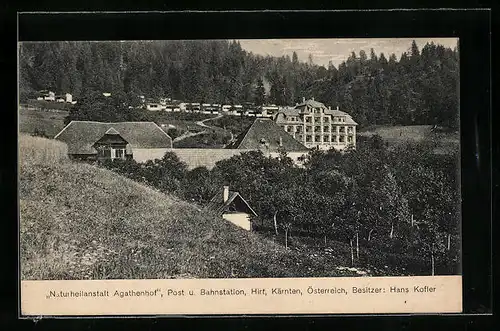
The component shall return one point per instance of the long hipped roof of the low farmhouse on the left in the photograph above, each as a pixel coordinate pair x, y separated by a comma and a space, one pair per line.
80, 136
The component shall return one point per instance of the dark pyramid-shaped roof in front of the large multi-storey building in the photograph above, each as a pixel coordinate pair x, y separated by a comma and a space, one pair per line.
265, 134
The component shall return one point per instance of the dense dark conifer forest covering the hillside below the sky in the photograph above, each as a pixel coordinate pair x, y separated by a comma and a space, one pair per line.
421, 87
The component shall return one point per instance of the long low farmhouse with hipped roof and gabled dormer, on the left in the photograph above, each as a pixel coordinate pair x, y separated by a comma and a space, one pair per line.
140, 141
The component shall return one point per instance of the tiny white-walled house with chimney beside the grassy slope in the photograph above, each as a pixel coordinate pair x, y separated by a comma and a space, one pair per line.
233, 208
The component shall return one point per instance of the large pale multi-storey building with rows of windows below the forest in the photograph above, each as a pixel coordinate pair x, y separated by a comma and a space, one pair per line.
315, 125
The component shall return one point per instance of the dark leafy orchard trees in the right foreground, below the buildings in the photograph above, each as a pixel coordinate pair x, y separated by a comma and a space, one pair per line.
403, 202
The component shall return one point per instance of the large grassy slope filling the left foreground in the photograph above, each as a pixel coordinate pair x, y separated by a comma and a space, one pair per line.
79, 221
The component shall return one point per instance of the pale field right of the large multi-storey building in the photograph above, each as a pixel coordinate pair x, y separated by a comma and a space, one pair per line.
414, 133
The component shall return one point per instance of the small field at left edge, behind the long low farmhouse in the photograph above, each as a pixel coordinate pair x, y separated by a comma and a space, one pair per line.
48, 121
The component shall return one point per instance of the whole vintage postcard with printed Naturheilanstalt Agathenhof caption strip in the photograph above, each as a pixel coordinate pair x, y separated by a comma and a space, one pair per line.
226, 177
